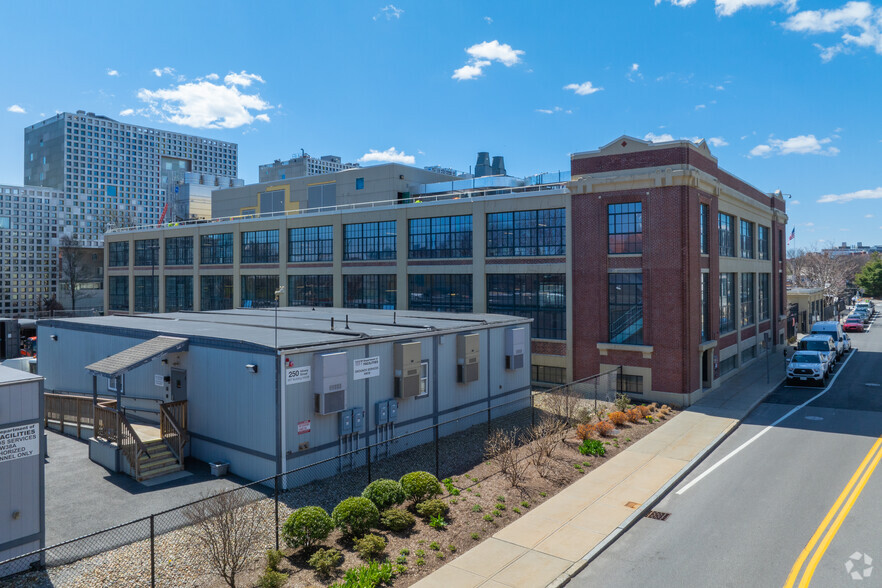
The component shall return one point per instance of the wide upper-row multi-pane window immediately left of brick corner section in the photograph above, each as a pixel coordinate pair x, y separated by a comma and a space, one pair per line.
526, 233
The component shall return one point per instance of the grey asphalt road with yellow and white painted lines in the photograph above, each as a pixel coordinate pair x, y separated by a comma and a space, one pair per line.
747, 521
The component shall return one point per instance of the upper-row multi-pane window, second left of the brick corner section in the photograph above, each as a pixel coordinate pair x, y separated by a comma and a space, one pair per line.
440, 237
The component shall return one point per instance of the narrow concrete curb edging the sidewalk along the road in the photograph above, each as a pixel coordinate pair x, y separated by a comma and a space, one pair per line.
644, 508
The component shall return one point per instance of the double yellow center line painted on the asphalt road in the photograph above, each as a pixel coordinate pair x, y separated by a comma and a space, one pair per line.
827, 531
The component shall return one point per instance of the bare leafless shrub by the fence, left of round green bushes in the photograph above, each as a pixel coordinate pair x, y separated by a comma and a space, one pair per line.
227, 526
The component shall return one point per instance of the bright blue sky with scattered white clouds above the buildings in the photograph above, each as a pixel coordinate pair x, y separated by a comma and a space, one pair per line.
787, 91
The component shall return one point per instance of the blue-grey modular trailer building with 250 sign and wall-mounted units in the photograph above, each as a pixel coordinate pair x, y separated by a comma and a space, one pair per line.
273, 390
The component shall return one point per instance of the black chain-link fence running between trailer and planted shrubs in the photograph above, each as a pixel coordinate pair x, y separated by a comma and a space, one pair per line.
167, 549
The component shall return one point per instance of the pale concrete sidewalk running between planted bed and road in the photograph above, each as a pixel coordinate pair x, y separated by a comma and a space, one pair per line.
555, 540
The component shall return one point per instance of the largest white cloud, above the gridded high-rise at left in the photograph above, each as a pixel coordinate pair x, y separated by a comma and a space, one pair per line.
204, 105
